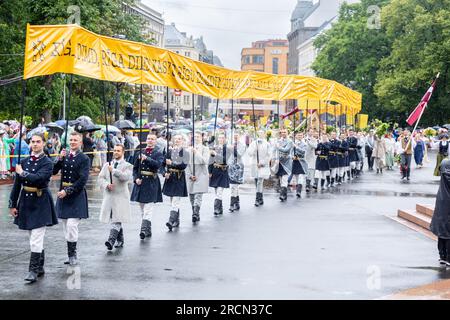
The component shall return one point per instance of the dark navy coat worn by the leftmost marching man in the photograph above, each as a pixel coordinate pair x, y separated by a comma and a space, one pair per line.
34, 211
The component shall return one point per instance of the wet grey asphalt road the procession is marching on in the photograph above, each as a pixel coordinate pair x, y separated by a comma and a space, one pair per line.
337, 244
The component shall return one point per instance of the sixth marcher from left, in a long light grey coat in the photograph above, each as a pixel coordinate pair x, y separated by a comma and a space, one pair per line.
197, 174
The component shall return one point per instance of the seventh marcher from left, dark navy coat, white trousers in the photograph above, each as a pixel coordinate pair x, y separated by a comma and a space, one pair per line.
218, 171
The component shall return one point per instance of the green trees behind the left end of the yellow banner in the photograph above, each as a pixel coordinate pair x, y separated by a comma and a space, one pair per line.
44, 94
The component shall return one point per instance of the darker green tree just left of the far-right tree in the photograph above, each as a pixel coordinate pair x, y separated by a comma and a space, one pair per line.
350, 52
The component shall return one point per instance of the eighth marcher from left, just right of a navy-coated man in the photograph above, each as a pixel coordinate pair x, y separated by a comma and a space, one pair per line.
236, 171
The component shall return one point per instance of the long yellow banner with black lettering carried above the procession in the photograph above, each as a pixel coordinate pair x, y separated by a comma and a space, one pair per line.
75, 50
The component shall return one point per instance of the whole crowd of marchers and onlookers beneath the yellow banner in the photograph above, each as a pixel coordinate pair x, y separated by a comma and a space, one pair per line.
186, 166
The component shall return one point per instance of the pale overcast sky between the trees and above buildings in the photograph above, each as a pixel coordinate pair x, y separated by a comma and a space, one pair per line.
227, 26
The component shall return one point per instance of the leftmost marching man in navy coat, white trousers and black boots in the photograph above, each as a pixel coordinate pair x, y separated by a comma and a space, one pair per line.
31, 203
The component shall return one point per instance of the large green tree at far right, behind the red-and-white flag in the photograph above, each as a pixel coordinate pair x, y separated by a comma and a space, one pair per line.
420, 34
